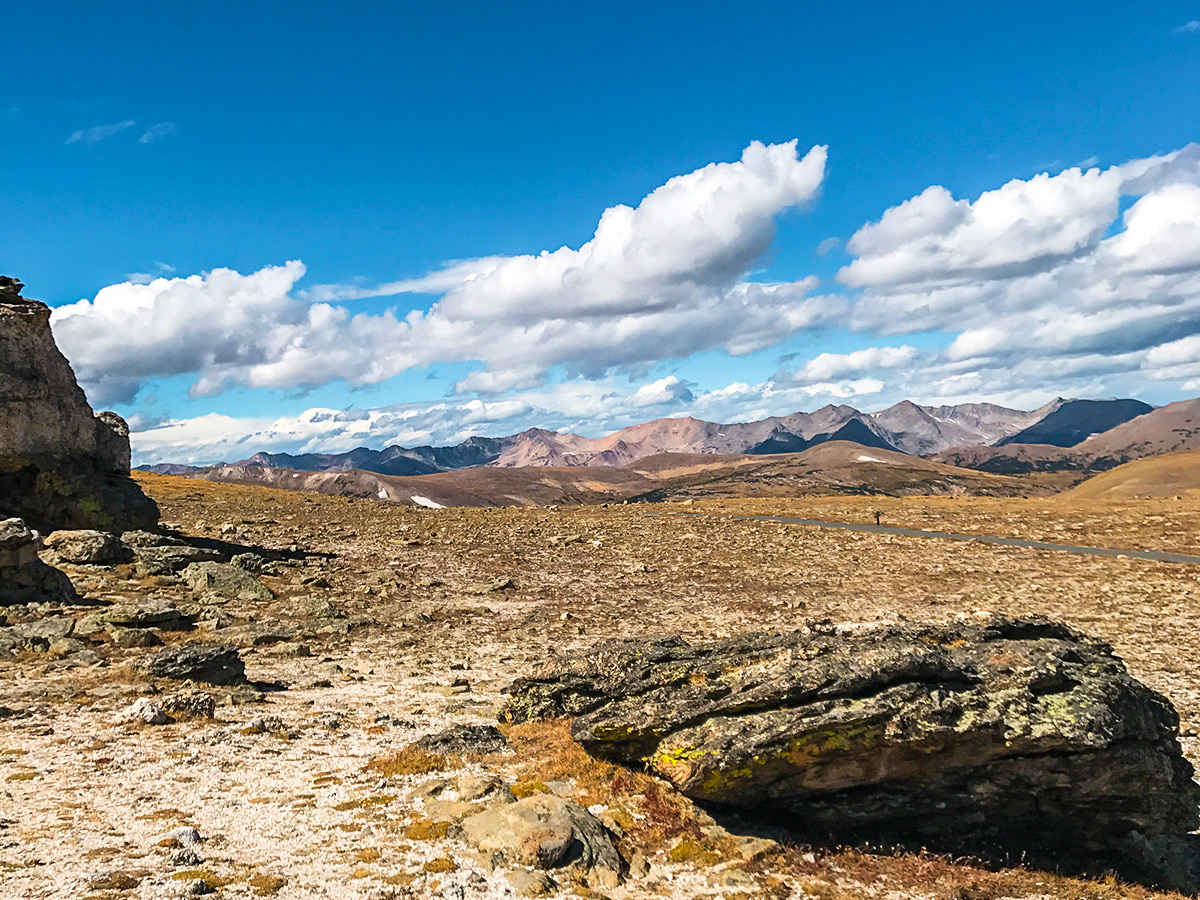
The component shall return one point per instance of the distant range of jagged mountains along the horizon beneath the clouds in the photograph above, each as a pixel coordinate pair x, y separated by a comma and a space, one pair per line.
981, 436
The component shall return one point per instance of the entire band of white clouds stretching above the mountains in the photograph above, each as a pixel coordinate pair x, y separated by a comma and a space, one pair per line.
1082, 283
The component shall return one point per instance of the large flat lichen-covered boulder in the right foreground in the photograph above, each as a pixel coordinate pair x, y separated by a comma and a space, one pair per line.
1016, 739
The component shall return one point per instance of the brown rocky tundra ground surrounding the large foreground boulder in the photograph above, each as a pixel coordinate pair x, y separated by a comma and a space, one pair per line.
382, 626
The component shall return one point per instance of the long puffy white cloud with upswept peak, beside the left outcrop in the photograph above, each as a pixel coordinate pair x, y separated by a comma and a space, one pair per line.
663, 280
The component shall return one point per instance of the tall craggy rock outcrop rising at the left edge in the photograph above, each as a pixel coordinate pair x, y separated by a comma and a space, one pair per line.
61, 466
